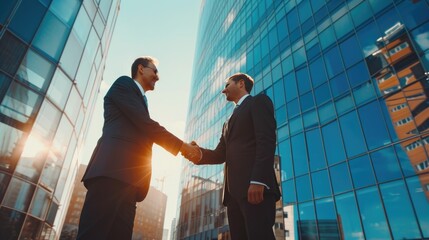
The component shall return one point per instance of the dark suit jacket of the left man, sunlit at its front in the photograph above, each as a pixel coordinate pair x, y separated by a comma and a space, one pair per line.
124, 151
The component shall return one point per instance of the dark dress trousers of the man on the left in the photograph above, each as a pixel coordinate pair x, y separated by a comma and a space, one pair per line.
108, 211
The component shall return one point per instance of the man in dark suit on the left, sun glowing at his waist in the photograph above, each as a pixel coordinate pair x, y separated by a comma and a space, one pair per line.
119, 172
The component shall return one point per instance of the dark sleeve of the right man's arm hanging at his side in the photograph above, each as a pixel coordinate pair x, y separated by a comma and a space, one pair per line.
265, 136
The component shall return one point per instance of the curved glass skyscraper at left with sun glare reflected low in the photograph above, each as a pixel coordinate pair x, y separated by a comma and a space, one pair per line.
52, 57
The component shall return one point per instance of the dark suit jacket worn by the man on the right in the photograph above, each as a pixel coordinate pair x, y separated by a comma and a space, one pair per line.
247, 146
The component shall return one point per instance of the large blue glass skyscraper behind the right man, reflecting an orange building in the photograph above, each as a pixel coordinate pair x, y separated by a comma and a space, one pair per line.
350, 83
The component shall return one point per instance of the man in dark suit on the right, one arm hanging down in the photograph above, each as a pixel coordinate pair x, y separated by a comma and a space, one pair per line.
247, 147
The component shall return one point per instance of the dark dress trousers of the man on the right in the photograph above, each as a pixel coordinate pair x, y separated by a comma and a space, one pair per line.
252, 222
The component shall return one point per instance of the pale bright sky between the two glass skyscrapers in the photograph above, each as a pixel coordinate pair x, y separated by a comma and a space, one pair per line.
166, 30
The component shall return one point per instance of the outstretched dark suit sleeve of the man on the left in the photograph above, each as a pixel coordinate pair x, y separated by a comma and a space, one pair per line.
122, 94
